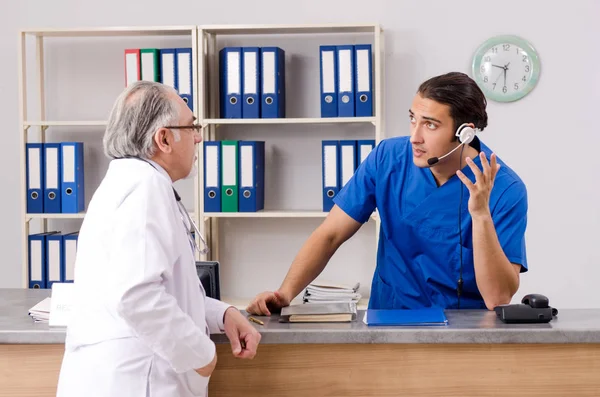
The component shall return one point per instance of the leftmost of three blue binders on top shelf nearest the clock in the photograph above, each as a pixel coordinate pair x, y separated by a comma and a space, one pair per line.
329, 81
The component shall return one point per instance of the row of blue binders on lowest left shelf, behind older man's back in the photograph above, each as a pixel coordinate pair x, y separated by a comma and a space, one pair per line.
51, 258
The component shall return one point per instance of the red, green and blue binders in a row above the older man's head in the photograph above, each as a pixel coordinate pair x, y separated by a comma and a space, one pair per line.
169, 66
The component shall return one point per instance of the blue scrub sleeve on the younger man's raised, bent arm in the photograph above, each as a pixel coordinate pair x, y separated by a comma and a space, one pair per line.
510, 221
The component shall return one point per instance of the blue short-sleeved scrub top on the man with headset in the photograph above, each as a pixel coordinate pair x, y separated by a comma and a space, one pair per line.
418, 258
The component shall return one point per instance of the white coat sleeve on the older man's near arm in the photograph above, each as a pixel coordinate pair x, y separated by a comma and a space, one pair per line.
142, 248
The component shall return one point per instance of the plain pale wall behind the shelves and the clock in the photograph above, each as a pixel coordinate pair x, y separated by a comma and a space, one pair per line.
549, 137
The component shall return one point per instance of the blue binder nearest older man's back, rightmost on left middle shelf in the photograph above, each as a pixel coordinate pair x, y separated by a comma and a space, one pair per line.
72, 182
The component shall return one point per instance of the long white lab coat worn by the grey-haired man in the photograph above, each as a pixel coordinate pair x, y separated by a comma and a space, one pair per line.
141, 322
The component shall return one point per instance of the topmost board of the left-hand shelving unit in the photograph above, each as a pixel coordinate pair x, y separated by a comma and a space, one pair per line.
114, 31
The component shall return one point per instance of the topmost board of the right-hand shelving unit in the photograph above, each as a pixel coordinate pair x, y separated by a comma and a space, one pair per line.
290, 29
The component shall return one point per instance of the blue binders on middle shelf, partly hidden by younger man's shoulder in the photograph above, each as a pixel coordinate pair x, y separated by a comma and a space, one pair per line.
340, 160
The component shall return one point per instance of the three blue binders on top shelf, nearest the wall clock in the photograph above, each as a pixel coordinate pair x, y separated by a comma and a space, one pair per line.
346, 80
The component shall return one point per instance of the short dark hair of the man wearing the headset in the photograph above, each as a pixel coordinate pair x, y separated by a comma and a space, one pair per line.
460, 92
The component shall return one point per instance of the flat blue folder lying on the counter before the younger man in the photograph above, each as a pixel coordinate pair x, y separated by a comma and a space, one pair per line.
400, 317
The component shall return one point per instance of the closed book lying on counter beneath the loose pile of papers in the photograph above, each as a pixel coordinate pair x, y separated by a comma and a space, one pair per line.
319, 313
